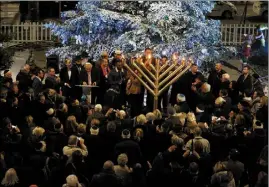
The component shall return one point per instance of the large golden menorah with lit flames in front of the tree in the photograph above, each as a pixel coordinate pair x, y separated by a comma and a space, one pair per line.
157, 78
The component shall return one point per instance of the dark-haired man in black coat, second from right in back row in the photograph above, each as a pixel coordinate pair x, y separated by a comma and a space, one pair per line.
214, 79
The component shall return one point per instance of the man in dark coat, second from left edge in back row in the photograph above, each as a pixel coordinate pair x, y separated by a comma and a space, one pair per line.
24, 78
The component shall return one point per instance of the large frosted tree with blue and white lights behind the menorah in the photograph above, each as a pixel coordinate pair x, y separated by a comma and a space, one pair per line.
167, 27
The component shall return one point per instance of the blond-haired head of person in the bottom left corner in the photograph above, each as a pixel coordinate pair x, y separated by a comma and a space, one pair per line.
11, 179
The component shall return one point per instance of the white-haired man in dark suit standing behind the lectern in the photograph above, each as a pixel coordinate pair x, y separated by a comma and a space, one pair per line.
90, 76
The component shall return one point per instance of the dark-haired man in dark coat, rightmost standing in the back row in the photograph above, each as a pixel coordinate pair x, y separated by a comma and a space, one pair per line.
244, 81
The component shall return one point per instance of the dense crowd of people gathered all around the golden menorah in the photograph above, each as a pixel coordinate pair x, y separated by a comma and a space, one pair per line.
89, 127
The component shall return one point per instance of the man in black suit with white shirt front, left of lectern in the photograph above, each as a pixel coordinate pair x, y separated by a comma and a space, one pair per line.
66, 76
